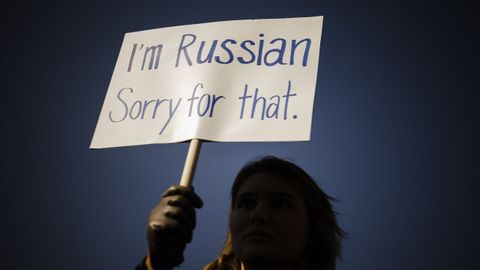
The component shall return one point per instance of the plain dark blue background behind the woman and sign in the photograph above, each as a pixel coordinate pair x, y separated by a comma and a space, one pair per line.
395, 134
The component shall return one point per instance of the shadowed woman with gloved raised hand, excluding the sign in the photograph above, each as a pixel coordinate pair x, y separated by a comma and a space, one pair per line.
279, 219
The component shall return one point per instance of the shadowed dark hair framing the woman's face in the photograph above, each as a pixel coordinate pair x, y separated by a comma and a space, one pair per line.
326, 233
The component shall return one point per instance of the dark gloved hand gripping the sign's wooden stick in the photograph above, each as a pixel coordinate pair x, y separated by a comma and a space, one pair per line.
170, 226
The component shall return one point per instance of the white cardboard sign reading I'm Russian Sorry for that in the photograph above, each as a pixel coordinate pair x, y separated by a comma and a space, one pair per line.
247, 80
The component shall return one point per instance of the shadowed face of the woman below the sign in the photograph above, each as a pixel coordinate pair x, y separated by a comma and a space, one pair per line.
269, 221
